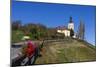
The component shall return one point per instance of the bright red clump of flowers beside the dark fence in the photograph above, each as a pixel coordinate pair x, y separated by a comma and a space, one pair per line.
30, 49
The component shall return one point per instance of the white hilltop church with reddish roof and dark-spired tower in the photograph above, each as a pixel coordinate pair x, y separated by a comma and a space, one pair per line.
66, 29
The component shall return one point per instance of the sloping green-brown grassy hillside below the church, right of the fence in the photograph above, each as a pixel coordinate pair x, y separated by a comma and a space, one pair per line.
70, 50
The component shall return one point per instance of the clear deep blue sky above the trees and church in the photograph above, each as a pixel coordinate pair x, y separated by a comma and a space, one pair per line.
53, 15
